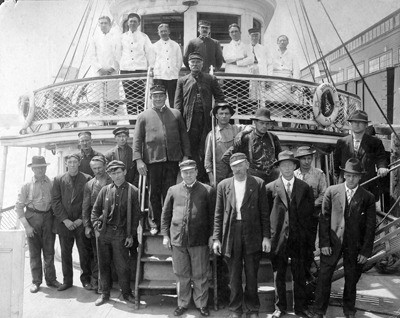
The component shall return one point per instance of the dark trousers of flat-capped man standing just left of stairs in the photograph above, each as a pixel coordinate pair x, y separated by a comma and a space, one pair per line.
111, 247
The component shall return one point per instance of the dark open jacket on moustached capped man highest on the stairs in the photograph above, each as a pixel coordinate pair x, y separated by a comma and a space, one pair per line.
186, 92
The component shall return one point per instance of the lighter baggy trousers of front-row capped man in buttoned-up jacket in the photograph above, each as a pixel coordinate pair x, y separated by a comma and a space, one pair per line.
191, 264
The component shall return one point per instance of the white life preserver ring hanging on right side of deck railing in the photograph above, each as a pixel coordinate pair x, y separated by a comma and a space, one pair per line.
326, 104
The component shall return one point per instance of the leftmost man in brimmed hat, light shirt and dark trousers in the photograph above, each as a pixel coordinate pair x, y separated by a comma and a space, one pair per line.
37, 219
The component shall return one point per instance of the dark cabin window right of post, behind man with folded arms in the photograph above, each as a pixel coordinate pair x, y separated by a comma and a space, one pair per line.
219, 25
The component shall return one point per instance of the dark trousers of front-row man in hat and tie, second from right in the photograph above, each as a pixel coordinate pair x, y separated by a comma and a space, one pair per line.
279, 266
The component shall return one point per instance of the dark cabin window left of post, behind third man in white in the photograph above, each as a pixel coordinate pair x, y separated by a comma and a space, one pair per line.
151, 22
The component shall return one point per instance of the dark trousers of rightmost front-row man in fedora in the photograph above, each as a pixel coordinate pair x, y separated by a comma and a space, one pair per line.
352, 273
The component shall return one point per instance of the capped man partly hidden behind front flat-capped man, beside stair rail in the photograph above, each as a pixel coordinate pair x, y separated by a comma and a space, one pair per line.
123, 152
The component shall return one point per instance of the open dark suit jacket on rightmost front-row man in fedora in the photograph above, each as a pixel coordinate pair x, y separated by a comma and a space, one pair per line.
359, 226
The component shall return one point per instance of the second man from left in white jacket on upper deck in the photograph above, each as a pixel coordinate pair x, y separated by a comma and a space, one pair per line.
136, 57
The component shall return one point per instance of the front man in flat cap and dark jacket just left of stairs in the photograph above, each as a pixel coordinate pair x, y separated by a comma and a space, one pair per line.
115, 218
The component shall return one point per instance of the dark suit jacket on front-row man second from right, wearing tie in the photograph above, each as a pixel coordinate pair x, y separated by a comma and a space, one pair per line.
277, 199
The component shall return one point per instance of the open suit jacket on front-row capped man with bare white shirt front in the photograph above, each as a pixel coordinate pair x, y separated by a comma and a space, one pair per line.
254, 211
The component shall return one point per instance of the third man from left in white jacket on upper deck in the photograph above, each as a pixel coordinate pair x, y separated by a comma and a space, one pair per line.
167, 62
